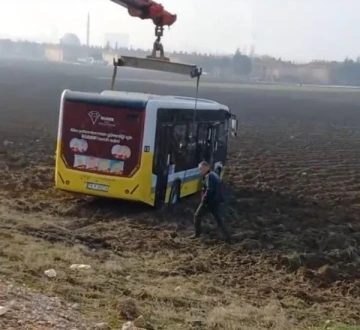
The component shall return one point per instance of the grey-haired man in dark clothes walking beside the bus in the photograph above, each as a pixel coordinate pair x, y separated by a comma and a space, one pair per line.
212, 197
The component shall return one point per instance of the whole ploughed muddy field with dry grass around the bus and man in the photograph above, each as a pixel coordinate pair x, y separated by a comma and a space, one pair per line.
293, 210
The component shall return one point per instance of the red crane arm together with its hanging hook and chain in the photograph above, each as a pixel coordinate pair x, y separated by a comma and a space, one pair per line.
148, 9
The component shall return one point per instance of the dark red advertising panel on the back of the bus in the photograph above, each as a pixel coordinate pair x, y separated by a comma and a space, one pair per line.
103, 139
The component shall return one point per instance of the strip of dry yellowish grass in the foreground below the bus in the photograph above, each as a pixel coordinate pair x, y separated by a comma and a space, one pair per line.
141, 270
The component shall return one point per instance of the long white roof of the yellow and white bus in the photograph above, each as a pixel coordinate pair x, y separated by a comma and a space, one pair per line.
140, 99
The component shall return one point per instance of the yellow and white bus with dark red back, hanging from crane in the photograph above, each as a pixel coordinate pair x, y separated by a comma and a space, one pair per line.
139, 147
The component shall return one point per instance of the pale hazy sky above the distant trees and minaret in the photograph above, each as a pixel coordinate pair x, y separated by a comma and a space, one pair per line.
298, 30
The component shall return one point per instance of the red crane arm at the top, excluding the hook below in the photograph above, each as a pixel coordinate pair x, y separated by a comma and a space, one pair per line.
148, 9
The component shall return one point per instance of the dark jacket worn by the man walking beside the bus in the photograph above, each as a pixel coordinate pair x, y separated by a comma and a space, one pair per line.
212, 189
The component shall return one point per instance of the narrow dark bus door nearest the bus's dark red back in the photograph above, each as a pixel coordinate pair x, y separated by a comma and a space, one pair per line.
163, 145
